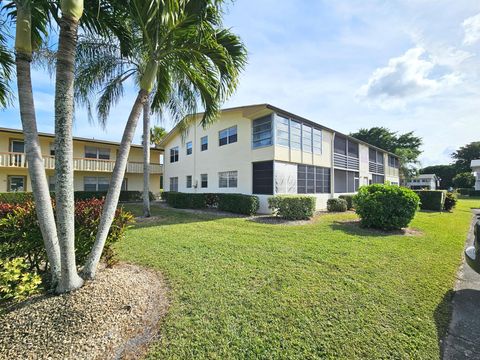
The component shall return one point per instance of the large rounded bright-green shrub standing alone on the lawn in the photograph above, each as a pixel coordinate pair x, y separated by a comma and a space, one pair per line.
386, 207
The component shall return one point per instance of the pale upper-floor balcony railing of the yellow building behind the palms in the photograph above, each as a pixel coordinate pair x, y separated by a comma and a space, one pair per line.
18, 160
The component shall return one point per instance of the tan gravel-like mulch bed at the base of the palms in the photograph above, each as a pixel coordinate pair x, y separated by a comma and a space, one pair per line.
113, 317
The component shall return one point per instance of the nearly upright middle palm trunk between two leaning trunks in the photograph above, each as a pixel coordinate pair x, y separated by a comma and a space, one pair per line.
64, 154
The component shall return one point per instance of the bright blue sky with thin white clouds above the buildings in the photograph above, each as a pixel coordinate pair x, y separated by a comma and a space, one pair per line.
406, 65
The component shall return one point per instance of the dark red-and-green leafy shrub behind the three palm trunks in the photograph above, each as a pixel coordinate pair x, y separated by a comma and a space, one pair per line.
20, 234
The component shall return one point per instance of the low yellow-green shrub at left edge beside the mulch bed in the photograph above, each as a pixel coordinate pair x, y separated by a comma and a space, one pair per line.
16, 282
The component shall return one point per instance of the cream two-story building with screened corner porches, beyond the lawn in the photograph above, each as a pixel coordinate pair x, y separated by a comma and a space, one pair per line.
264, 150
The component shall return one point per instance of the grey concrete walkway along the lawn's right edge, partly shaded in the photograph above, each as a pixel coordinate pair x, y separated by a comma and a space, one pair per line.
463, 335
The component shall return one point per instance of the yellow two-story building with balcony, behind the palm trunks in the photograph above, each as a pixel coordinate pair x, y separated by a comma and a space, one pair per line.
93, 163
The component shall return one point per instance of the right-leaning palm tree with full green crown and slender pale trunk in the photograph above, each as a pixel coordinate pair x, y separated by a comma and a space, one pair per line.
187, 58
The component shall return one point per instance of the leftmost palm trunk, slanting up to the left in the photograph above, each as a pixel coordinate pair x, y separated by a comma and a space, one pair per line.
36, 169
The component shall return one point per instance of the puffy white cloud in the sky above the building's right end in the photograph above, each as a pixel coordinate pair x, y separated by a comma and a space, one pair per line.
410, 76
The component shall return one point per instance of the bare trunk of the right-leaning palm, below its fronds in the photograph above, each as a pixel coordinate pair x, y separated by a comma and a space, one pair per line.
113, 194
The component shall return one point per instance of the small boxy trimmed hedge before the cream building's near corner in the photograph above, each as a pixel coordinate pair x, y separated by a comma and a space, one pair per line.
293, 207
